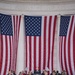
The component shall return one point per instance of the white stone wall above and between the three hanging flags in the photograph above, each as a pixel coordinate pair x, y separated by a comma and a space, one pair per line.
34, 8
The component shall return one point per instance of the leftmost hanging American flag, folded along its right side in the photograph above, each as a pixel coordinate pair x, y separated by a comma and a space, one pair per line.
9, 35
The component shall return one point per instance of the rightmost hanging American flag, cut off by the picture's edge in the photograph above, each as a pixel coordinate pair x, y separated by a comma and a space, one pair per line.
67, 44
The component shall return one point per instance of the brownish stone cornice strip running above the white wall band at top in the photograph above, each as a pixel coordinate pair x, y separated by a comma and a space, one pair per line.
55, 2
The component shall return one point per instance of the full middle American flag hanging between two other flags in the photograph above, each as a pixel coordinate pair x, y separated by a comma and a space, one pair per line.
40, 38
